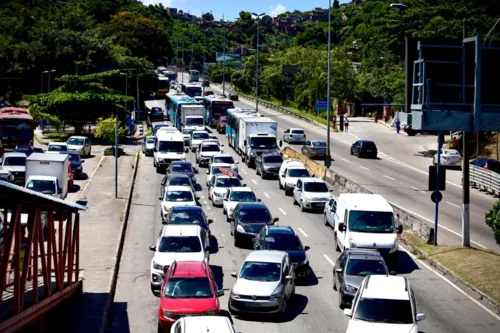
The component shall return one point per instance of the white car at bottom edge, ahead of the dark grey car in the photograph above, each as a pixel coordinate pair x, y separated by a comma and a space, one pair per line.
384, 303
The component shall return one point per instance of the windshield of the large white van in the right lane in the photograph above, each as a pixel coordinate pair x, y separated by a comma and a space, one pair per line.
364, 221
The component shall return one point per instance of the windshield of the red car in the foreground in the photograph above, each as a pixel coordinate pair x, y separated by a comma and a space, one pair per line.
188, 288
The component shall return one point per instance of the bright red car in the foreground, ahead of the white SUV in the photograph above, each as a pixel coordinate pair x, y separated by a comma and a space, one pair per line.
188, 289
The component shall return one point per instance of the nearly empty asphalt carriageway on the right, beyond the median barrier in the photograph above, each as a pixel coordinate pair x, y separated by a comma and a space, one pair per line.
399, 174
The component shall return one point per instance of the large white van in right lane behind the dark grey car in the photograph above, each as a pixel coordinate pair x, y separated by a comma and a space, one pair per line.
365, 221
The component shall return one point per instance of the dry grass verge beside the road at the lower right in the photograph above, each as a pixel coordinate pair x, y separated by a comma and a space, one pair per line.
480, 268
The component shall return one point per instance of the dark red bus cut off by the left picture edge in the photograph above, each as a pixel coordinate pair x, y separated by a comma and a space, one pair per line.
16, 127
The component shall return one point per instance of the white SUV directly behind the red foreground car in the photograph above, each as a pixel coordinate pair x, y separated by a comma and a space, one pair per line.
180, 243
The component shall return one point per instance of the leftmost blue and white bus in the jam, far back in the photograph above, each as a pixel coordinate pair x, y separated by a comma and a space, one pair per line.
181, 105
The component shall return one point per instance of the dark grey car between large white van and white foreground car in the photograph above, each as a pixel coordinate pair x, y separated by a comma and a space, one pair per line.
351, 268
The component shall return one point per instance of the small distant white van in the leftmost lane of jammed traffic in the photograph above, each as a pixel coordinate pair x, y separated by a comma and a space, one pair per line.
169, 147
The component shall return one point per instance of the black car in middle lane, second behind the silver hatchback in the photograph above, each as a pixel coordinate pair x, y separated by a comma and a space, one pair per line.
247, 220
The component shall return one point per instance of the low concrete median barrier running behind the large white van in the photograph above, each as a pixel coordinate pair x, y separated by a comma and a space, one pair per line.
341, 184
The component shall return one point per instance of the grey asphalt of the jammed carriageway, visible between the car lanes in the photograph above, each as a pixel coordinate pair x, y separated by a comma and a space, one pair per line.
315, 308
